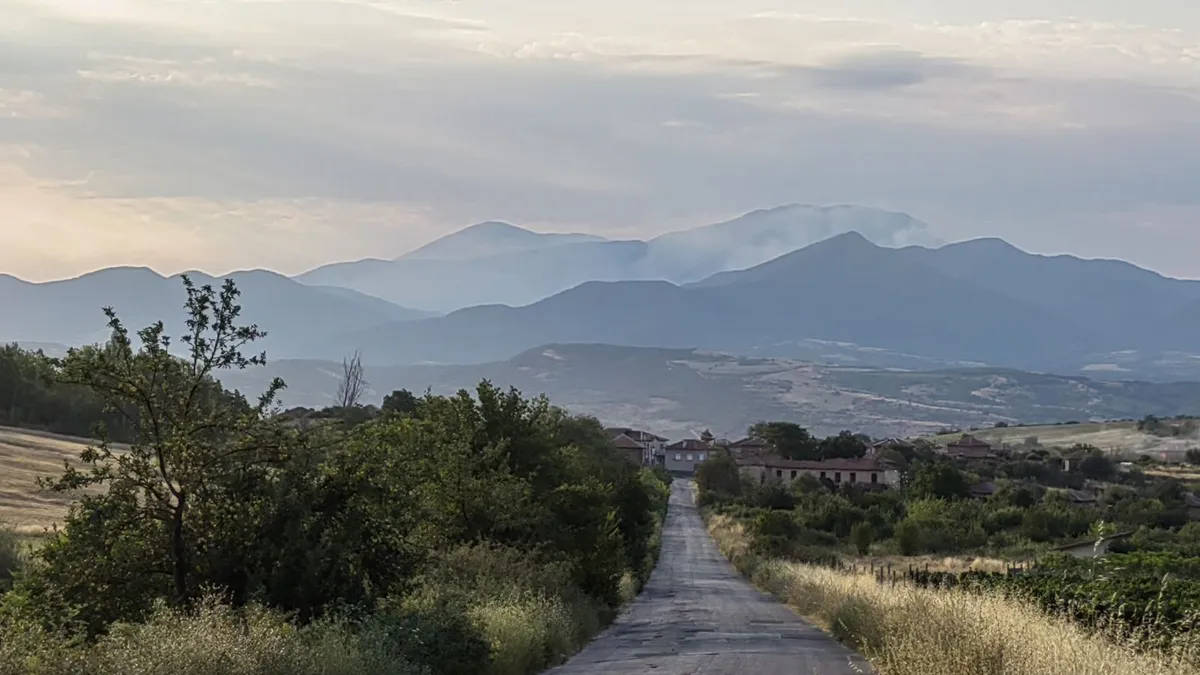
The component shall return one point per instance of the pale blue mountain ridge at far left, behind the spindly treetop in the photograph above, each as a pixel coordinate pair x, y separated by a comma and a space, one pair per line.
297, 318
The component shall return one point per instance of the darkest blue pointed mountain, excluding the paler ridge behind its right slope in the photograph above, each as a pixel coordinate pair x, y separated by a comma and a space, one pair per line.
843, 289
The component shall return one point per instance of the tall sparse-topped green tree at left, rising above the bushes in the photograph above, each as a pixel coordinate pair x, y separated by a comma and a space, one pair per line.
152, 522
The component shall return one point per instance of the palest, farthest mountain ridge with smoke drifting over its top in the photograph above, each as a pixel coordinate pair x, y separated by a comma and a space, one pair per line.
500, 264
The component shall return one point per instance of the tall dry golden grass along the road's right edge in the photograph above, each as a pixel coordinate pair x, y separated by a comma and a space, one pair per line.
909, 631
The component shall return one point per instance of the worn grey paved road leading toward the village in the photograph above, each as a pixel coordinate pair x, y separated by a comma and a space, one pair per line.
698, 617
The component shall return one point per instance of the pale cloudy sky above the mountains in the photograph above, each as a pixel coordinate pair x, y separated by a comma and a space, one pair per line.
224, 135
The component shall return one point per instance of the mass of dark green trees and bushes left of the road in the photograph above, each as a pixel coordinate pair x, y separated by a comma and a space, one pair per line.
482, 533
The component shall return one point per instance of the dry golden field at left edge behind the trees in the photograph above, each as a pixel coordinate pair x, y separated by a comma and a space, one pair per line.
25, 457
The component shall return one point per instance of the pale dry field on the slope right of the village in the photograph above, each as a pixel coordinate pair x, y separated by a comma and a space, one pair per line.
1113, 437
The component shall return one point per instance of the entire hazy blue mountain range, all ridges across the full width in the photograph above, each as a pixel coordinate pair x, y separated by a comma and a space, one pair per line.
844, 300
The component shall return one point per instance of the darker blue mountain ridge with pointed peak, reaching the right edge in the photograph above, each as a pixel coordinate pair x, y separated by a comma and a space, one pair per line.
843, 290
